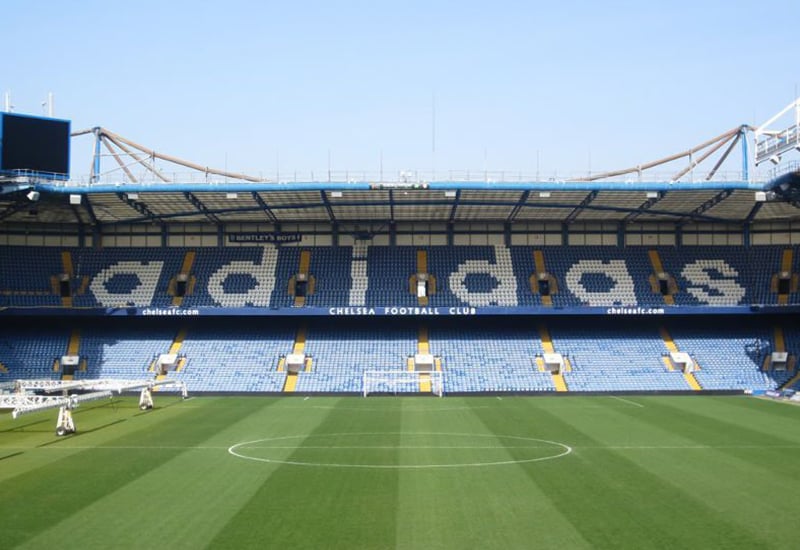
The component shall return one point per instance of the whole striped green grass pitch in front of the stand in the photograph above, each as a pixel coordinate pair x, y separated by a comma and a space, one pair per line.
642, 472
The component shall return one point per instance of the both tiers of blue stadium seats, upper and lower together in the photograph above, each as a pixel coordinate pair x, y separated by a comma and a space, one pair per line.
491, 356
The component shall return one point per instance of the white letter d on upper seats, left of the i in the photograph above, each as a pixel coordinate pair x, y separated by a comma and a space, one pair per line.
263, 273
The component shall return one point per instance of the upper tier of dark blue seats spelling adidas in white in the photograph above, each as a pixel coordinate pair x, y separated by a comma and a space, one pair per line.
477, 276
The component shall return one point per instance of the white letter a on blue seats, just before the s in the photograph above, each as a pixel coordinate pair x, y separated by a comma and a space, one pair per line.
621, 292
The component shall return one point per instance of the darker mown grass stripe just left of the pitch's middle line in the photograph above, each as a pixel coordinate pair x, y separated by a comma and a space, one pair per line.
315, 507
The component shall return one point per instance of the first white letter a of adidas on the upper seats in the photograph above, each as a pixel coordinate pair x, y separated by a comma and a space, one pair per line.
141, 295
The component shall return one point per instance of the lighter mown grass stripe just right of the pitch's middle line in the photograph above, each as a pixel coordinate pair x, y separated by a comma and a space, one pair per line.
495, 507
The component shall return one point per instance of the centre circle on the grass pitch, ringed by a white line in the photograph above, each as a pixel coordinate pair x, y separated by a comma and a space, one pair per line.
395, 451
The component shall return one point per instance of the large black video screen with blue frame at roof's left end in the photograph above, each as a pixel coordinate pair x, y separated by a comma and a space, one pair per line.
34, 144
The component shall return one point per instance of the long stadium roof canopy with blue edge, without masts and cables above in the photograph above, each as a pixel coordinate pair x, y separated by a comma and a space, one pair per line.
456, 202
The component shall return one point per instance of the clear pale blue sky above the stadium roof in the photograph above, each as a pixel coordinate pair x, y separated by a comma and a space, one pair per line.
589, 85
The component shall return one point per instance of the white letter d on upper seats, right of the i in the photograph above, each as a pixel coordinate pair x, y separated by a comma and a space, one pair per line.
504, 294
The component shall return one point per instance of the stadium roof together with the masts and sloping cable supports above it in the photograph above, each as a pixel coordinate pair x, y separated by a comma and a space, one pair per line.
632, 194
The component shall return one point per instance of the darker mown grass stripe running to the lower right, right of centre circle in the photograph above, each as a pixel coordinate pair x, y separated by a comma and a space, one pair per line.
609, 498
